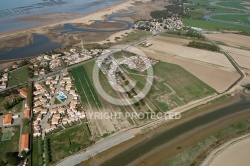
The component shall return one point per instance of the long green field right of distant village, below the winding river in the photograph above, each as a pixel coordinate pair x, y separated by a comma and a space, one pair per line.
215, 26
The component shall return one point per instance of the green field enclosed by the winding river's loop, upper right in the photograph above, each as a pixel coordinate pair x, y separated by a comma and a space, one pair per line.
234, 18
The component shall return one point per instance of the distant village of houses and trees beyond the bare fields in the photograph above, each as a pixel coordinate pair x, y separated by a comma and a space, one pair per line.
170, 23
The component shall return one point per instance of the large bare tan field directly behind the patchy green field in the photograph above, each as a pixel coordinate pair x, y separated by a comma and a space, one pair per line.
218, 77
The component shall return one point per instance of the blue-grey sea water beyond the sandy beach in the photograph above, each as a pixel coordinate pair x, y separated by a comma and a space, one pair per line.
12, 10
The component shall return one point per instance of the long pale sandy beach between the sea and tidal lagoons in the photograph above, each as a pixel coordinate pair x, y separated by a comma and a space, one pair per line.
86, 19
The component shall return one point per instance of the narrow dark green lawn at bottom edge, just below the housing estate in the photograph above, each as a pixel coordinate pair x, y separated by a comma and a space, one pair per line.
37, 152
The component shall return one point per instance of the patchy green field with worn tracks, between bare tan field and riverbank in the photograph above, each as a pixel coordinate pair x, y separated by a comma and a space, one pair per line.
173, 87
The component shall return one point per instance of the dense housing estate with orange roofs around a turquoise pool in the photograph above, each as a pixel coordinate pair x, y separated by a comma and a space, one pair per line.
64, 112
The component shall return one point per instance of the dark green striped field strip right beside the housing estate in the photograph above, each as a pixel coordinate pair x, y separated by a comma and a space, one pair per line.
85, 88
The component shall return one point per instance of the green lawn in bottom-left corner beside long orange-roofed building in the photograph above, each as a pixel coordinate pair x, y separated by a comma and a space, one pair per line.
11, 145
